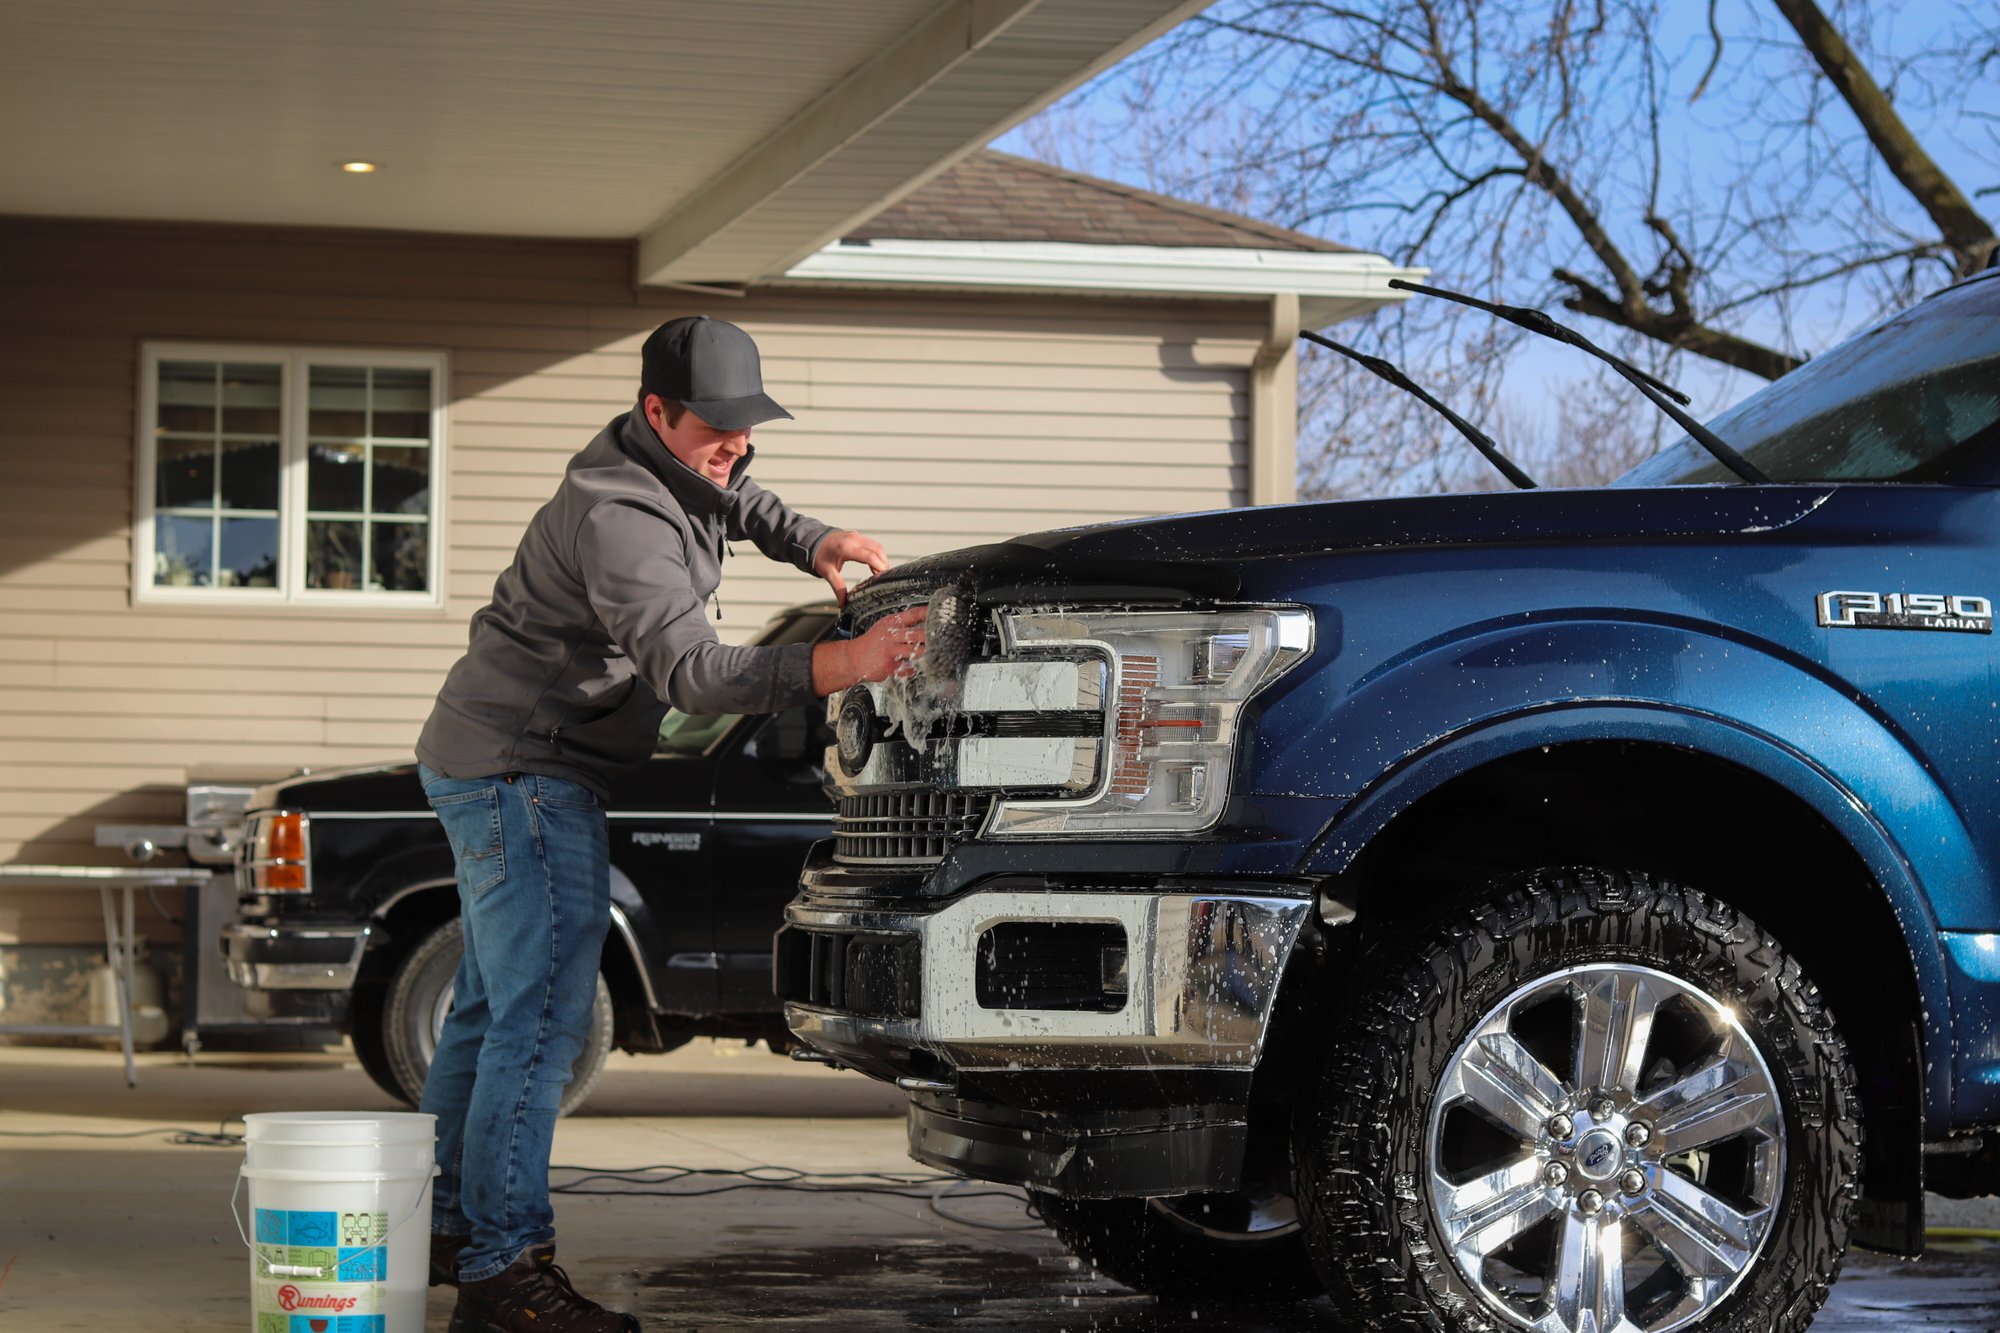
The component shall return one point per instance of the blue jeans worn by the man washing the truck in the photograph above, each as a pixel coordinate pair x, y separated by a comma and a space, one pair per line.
535, 898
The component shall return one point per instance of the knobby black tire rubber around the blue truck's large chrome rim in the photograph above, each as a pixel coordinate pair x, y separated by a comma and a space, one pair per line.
1361, 1138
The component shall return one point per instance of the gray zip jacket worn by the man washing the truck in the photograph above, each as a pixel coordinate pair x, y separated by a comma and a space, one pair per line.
601, 617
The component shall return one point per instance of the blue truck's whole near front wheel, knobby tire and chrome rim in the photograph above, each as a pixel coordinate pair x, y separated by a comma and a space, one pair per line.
1583, 1102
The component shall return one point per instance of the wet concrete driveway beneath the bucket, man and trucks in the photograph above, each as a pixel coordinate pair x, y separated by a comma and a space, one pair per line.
135, 1232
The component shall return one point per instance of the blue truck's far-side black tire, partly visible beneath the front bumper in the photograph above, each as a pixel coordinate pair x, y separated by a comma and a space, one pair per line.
1151, 1248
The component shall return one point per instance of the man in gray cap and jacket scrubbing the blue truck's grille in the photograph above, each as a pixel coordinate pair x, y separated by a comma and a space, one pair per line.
597, 621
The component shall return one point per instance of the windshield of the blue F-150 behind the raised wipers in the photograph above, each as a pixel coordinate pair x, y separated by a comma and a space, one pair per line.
1907, 401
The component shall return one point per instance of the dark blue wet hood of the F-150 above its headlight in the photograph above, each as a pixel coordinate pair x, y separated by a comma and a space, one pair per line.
1201, 555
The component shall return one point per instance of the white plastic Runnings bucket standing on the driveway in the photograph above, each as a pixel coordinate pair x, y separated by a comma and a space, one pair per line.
339, 1220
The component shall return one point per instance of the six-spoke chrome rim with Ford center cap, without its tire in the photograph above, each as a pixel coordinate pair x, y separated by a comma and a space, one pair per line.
1605, 1154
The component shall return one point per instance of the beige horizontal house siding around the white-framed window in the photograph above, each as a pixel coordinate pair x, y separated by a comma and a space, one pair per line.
927, 421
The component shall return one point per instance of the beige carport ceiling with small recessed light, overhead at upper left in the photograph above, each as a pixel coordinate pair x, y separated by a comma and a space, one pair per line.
593, 119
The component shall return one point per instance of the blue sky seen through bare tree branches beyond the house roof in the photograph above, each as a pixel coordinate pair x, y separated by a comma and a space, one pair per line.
1705, 191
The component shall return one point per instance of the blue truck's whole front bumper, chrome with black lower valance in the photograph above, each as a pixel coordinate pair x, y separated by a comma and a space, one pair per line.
1147, 1100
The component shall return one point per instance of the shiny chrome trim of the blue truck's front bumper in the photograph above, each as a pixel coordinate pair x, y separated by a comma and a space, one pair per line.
1203, 972
